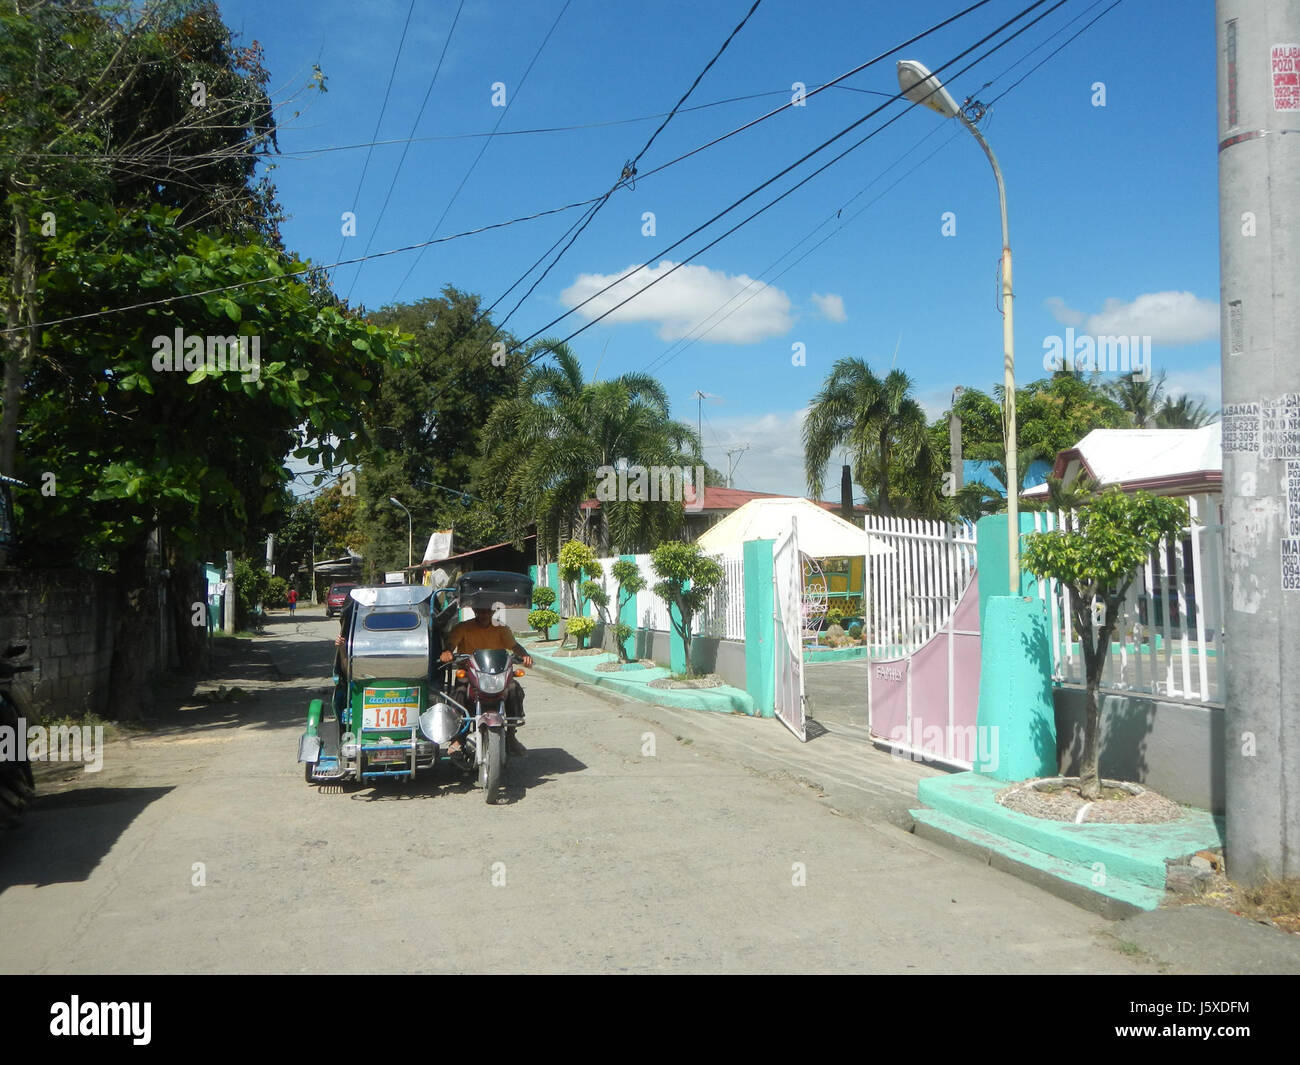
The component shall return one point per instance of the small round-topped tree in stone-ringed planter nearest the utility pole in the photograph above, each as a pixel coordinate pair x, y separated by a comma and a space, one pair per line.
1097, 560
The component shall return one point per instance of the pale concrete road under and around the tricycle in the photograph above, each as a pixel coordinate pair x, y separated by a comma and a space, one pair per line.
634, 841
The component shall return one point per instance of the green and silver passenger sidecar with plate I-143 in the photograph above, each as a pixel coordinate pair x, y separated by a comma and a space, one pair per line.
383, 720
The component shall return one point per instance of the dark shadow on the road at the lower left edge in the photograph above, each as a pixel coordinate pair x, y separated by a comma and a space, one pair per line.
64, 837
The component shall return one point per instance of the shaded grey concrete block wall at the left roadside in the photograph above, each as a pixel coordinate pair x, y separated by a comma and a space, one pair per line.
66, 618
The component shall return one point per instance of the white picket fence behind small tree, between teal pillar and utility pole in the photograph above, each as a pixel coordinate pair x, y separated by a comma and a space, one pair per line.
1171, 640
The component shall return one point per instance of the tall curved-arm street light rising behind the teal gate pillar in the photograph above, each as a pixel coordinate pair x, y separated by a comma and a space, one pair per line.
922, 88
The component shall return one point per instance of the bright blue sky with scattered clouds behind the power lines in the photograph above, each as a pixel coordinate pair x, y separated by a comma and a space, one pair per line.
1113, 209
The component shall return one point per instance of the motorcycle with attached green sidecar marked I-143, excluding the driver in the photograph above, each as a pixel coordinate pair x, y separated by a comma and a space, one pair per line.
397, 711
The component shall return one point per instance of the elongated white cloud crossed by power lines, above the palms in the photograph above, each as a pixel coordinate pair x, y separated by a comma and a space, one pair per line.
686, 300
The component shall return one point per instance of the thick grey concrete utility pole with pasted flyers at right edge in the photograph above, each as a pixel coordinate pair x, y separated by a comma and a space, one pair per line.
1259, 159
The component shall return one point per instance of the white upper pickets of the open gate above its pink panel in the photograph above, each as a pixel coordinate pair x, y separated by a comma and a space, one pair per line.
913, 590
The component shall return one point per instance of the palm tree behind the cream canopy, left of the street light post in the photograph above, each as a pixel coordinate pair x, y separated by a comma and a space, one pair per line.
885, 431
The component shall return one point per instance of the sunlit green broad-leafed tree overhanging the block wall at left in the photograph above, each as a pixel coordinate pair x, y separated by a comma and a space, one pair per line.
136, 447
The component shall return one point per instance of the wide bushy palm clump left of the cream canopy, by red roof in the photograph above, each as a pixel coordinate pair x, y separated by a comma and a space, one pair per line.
544, 449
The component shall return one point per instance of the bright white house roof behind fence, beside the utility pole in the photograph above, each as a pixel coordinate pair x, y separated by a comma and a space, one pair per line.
1158, 461
